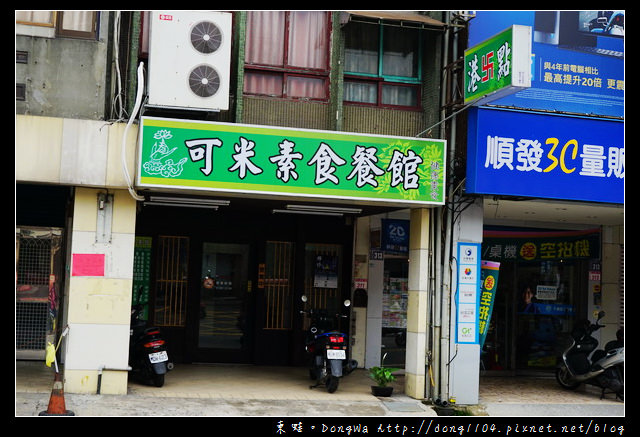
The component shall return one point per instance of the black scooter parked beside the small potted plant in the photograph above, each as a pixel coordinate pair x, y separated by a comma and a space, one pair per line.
327, 349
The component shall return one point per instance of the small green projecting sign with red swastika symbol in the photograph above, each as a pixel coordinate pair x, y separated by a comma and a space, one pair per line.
498, 66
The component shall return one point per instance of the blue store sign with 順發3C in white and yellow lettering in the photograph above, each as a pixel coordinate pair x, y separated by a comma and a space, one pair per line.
517, 153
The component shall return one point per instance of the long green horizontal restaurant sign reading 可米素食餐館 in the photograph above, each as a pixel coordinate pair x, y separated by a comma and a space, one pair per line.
237, 158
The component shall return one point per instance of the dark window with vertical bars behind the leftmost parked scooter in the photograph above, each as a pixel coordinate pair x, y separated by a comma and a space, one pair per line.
170, 300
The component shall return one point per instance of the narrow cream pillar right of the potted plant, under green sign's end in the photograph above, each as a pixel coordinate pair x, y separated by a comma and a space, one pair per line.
418, 303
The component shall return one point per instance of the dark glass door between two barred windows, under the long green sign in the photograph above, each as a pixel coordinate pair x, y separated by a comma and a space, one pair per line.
224, 300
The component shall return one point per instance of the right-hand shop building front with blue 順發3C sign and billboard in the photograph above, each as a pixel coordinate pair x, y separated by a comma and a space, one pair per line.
544, 187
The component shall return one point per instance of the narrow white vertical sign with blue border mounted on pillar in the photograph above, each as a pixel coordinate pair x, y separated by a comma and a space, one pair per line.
468, 293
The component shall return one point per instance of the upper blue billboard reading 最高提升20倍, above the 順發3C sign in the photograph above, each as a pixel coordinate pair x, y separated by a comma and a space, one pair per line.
577, 62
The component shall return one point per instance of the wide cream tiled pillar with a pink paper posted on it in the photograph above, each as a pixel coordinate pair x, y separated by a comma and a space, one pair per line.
98, 300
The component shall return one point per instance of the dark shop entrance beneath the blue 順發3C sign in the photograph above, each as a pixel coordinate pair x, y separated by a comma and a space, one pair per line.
538, 300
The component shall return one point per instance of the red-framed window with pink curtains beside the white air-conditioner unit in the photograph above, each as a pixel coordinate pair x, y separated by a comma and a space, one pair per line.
287, 54
